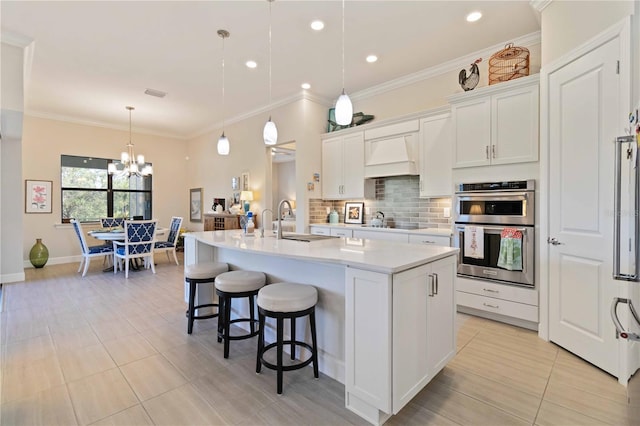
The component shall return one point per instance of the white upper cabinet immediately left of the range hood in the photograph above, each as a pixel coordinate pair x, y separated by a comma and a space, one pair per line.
343, 167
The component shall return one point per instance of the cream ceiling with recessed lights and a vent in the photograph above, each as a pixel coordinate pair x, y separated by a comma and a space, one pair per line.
89, 59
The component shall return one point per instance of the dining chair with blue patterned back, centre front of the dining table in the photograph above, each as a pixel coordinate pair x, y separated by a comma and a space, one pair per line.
139, 239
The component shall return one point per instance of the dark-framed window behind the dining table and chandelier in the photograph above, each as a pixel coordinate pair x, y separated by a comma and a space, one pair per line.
89, 193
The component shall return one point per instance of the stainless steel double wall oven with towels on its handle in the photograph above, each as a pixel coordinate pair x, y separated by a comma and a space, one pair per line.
490, 207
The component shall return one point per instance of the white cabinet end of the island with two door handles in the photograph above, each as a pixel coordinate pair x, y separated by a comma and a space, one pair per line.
403, 327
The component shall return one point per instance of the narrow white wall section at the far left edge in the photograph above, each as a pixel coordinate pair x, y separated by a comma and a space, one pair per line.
11, 186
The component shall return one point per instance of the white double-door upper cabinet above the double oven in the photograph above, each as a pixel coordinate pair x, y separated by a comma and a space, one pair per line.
496, 124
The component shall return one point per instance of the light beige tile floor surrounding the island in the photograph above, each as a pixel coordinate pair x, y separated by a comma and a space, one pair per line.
108, 351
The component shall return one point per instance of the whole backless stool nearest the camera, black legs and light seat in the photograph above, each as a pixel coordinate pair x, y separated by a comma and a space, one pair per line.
282, 301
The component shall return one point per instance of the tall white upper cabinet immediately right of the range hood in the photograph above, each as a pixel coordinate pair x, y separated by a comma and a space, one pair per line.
436, 178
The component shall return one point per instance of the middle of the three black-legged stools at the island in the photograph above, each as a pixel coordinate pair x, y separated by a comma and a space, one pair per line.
233, 285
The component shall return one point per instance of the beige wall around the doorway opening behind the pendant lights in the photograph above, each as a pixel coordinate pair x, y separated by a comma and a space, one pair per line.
301, 121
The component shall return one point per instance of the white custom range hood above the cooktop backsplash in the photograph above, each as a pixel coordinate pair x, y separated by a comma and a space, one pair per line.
392, 150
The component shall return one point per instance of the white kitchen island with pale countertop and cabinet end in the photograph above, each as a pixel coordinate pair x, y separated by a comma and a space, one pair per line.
385, 313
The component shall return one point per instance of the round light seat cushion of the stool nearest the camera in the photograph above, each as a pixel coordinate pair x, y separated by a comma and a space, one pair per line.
287, 297
